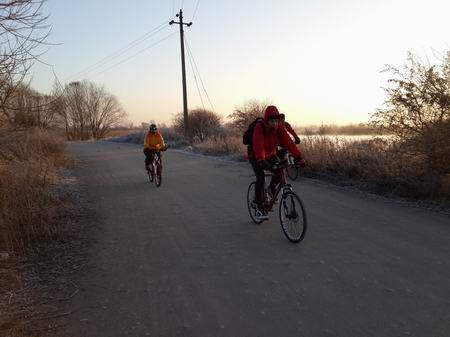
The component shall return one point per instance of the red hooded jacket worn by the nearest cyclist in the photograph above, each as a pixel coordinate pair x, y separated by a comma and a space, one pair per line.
266, 139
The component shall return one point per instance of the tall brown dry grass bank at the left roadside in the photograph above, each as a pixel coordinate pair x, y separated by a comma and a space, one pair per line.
28, 164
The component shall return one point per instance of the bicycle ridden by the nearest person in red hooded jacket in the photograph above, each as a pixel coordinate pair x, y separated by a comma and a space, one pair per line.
292, 212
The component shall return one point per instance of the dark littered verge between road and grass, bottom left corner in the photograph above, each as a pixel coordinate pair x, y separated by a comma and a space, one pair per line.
38, 287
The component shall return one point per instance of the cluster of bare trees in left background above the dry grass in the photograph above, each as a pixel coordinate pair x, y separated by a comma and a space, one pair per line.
84, 110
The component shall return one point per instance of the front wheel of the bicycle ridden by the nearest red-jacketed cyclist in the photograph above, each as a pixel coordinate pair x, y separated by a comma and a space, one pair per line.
293, 217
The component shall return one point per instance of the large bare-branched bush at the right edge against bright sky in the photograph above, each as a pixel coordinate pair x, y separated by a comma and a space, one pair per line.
417, 114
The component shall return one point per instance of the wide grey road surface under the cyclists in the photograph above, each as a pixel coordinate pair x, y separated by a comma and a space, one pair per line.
185, 260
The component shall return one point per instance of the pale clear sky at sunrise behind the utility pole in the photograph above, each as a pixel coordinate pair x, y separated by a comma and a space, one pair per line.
319, 61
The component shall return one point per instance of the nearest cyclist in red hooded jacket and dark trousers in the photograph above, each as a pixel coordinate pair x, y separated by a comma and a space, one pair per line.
267, 136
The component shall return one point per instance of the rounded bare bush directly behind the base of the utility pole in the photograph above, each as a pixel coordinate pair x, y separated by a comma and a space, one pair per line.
202, 124
